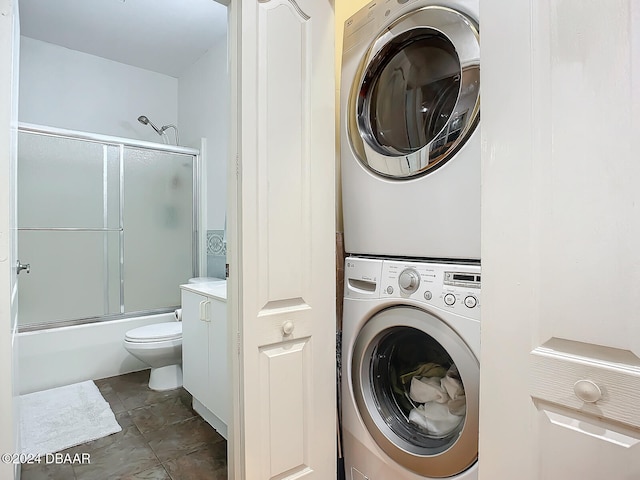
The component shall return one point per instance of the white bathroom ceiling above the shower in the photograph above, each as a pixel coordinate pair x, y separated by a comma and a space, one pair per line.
164, 36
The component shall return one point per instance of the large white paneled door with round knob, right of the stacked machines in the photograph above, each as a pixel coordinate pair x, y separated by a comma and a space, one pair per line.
560, 360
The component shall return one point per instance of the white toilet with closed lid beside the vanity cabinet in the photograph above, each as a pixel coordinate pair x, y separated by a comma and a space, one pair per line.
159, 346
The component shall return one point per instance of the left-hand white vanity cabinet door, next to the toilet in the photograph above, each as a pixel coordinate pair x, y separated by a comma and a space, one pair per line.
195, 346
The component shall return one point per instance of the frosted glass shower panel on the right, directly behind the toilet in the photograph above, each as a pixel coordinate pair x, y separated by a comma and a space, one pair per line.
158, 221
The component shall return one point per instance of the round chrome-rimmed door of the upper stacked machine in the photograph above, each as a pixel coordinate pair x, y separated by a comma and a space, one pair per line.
416, 97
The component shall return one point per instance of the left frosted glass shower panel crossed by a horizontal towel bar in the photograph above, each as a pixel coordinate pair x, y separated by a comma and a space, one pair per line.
68, 228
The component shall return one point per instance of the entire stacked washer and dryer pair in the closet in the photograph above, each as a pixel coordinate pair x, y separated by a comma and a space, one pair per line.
410, 154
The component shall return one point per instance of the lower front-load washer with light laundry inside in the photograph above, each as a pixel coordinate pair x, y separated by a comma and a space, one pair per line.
407, 322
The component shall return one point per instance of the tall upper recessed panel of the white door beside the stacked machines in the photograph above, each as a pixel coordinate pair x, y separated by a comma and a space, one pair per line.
283, 150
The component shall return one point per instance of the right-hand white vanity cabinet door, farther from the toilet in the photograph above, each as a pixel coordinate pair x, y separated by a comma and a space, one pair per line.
218, 362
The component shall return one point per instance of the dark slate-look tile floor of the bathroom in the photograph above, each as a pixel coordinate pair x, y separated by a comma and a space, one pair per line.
162, 438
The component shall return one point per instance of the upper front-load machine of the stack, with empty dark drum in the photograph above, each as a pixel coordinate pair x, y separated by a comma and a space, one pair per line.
410, 146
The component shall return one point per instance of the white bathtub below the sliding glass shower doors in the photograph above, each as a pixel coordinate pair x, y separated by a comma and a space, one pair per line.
65, 355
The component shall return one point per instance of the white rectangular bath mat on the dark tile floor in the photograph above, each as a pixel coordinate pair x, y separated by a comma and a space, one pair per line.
63, 417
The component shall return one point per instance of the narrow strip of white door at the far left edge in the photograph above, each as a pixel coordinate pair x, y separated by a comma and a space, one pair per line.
9, 35
